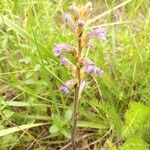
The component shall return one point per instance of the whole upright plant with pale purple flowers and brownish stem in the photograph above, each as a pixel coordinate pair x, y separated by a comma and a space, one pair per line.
83, 66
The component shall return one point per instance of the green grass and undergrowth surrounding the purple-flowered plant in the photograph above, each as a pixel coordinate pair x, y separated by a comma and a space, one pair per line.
30, 77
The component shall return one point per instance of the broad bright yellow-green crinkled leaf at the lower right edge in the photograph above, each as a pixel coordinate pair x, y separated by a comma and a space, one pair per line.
136, 117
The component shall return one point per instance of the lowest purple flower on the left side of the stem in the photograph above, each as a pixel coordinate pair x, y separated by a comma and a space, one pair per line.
65, 88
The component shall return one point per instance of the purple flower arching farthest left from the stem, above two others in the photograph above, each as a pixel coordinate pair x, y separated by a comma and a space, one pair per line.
62, 47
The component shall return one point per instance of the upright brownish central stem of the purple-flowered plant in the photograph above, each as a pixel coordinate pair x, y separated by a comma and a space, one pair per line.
76, 96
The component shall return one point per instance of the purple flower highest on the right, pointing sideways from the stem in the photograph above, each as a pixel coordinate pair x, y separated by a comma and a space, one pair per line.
100, 33
